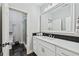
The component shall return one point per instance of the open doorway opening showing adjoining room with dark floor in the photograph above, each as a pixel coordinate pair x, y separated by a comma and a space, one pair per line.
17, 31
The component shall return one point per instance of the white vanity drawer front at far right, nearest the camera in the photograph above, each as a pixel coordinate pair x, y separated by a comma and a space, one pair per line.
64, 52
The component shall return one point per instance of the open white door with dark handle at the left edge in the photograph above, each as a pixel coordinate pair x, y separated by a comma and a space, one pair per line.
5, 29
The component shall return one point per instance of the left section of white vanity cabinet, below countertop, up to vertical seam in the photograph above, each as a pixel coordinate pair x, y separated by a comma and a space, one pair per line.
42, 48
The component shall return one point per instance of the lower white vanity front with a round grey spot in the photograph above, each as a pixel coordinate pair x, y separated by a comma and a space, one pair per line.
45, 51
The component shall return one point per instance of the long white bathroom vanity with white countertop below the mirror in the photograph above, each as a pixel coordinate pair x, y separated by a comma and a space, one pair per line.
47, 46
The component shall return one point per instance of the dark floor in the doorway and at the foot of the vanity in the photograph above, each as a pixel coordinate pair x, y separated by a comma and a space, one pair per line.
20, 50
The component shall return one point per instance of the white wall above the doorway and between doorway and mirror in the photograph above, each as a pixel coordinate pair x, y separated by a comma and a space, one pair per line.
33, 21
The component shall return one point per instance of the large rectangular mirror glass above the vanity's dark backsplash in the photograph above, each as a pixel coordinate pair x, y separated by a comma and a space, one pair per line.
57, 19
